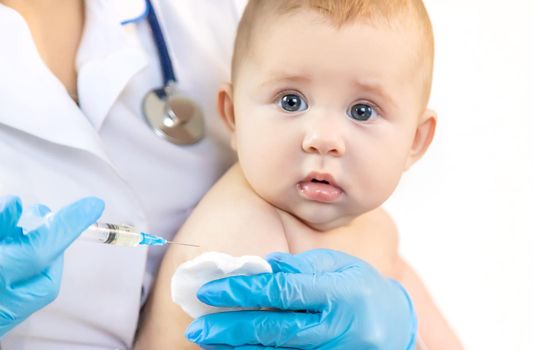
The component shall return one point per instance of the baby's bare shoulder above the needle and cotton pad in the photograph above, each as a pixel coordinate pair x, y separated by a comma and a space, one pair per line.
232, 218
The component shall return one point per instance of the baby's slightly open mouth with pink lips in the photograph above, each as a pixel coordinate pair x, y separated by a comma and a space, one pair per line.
320, 187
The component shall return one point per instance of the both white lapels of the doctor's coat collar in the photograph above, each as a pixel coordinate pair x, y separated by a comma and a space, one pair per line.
34, 101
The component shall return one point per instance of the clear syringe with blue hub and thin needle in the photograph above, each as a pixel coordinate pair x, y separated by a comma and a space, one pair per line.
123, 236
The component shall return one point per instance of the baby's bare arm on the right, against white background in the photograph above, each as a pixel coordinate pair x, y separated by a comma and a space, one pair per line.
434, 332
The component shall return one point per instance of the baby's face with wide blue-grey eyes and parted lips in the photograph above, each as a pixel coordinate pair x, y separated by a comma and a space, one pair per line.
325, 118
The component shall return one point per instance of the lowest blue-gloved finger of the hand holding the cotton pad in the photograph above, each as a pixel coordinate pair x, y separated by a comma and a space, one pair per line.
253, 328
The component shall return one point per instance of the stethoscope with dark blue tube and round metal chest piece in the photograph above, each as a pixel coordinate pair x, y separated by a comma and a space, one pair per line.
172, 115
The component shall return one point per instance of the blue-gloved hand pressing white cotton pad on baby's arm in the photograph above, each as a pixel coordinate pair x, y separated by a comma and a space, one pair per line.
331, 301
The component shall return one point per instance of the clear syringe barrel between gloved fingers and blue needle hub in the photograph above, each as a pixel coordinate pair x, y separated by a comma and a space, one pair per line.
120, 235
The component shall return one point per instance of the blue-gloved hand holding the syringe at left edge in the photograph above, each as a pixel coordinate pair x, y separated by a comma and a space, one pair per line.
31, 264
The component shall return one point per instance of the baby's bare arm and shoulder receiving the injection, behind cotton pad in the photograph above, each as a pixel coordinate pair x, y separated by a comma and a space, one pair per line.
230, 219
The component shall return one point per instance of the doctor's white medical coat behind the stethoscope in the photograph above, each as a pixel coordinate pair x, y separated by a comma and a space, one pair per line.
54, 152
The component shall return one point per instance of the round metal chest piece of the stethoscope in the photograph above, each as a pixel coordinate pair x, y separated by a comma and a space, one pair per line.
173, 116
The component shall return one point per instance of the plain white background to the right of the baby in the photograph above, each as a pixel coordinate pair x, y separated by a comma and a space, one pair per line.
464, 211
